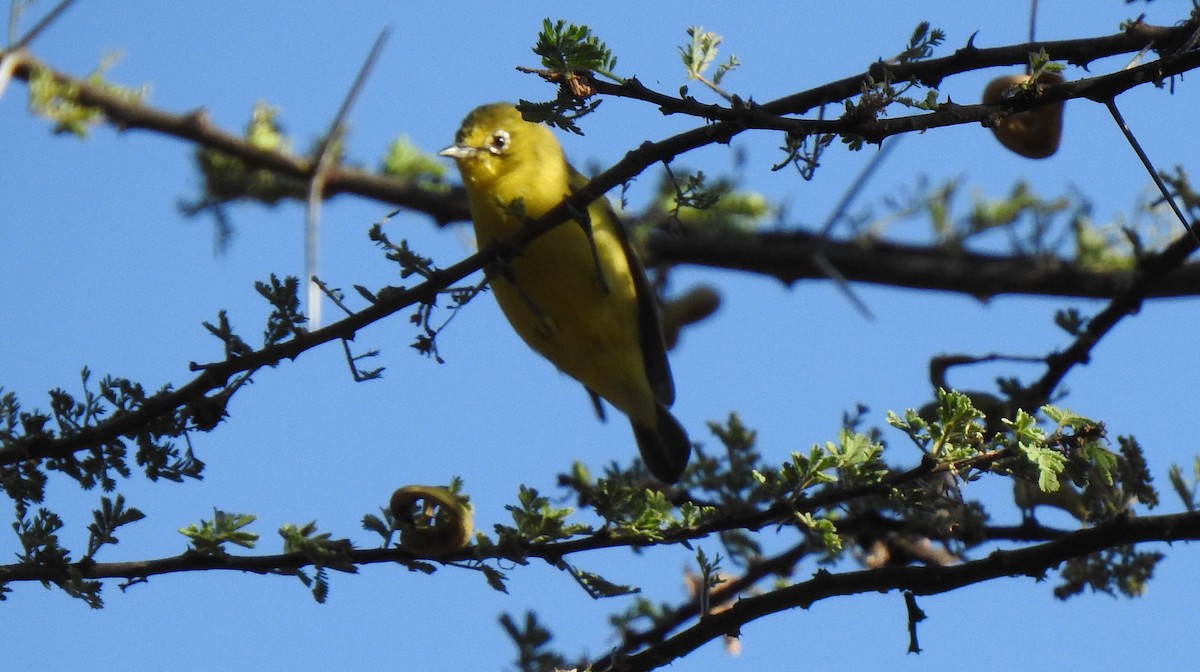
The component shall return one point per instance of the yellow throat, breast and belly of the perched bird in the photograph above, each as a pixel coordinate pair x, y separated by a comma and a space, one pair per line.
551, 292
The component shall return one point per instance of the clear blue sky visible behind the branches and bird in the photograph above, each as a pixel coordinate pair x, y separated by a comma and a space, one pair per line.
100, 269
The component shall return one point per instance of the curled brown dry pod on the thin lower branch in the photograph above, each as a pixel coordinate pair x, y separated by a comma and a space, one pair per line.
431, 520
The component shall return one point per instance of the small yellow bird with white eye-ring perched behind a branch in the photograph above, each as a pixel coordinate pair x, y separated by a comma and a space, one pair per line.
581, 302
